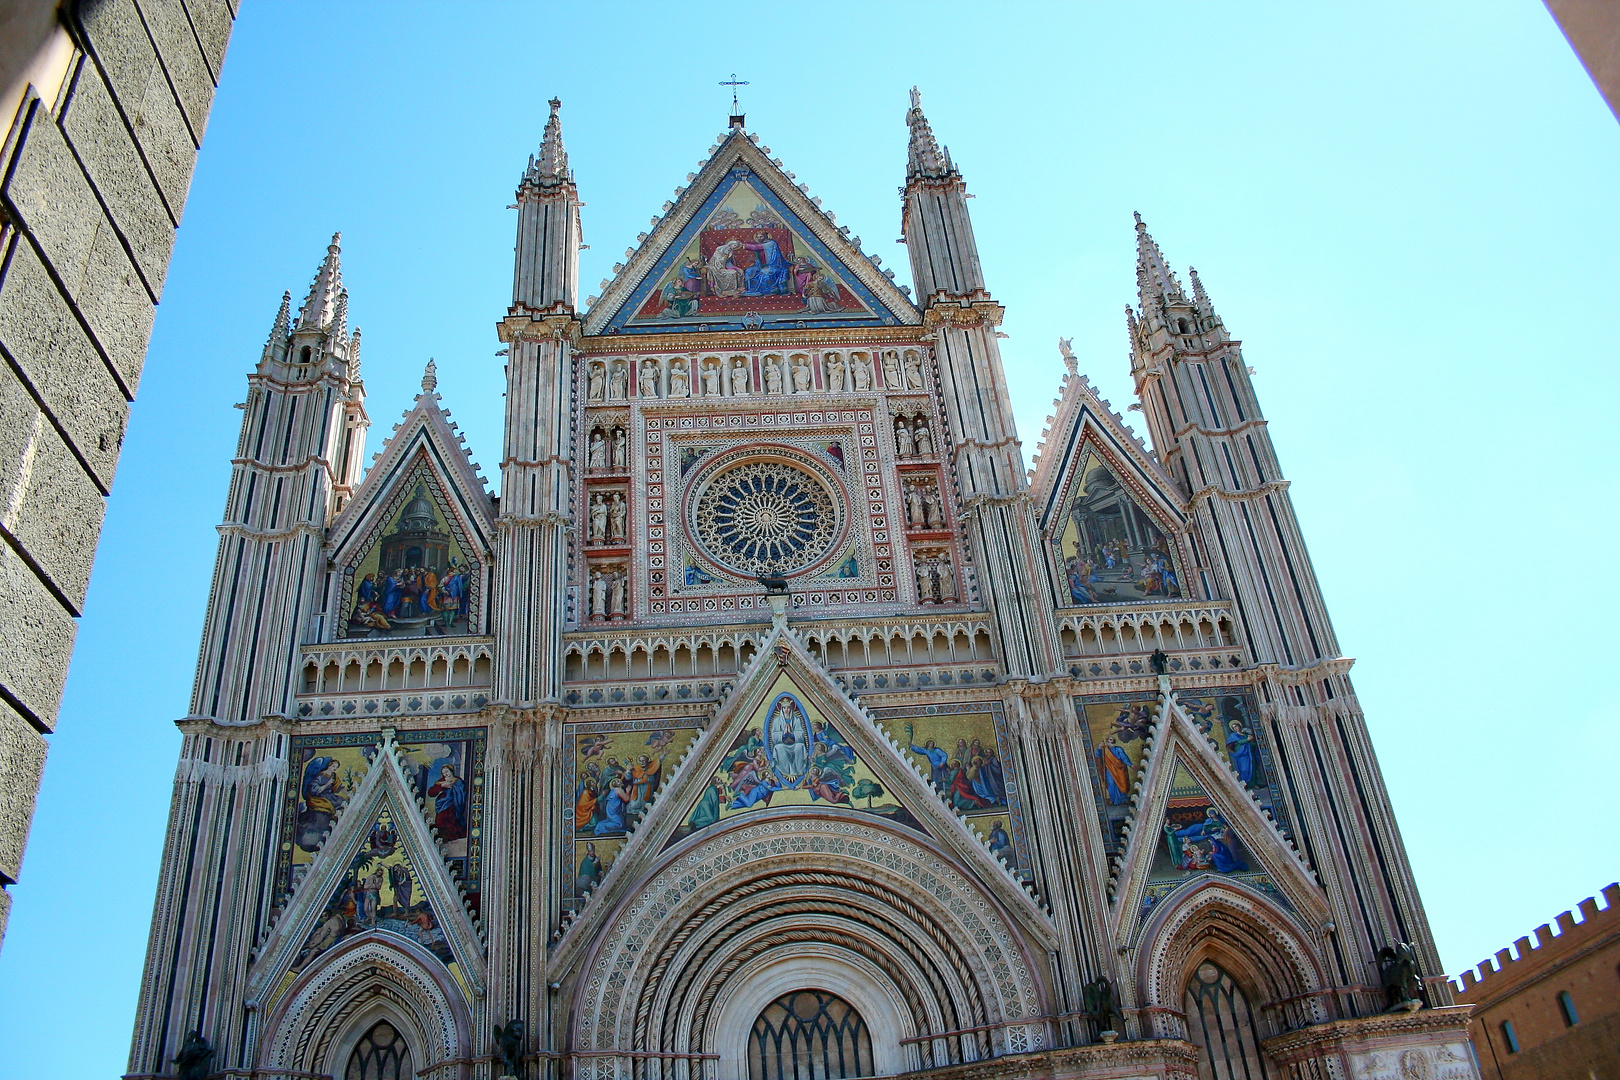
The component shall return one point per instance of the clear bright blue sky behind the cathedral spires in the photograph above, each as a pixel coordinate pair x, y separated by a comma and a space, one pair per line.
1407, 213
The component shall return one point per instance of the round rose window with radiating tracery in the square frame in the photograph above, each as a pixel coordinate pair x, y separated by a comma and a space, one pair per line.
764, 516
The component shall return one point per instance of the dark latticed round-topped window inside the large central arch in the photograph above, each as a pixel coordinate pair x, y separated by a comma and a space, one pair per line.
809, 1035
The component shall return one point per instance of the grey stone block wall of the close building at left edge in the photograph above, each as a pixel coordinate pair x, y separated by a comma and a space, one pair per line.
106, 104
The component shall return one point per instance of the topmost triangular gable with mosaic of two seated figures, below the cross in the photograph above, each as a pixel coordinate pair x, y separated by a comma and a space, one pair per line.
696, 271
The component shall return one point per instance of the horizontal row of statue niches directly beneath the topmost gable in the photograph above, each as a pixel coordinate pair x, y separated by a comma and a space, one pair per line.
770, 375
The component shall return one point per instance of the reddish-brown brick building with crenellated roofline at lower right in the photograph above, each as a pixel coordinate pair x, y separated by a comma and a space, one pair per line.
1554, 1010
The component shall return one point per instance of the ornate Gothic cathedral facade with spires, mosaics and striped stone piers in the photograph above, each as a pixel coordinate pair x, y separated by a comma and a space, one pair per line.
775, 721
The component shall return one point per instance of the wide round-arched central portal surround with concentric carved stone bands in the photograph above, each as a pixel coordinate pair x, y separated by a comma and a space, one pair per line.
736, 919
